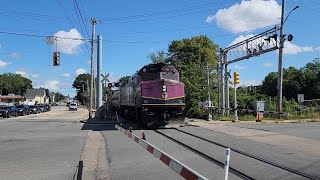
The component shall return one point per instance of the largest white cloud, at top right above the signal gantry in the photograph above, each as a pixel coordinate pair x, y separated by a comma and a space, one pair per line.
247, 16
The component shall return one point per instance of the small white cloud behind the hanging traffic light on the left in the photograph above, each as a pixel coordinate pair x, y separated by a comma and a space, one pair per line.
69, 46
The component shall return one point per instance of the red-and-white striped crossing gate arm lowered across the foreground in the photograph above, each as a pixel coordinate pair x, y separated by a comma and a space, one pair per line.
174, 164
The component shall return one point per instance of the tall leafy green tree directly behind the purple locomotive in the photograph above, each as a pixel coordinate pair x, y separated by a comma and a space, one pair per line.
190, 57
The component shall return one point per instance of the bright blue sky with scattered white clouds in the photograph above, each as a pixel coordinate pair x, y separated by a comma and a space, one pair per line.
132, 29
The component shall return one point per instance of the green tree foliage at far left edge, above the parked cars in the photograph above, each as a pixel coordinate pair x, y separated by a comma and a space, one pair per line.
14, 83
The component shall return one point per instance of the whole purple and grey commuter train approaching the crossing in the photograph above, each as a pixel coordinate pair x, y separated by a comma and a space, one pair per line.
154, 95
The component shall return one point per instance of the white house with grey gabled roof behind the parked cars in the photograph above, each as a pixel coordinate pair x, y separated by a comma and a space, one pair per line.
36, 96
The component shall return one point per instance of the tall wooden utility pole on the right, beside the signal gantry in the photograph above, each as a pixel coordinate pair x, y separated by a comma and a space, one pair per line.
280, 69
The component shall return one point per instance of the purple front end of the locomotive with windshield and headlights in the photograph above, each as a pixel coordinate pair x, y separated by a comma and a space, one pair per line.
162, 95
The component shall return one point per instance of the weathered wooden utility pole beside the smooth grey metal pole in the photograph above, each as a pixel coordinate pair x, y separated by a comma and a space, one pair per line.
94, 22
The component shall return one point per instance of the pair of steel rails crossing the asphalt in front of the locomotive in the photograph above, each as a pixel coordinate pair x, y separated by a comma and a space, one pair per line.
232, 169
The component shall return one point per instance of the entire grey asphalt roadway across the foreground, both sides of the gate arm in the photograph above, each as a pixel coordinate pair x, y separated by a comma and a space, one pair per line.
51, 145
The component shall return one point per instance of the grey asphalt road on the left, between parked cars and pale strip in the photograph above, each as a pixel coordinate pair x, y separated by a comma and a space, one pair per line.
42, 146
